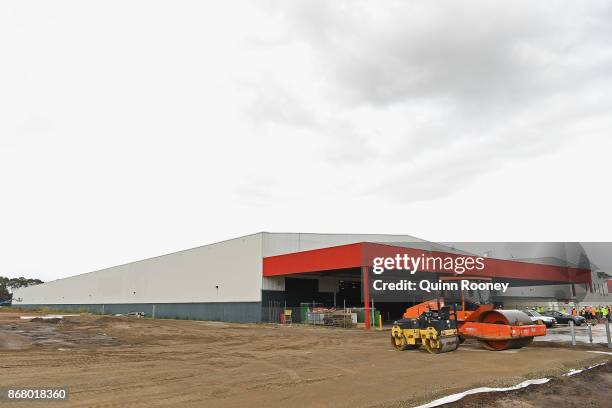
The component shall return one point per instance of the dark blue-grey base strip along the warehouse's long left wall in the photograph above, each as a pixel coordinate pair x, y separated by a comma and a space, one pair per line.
245, 312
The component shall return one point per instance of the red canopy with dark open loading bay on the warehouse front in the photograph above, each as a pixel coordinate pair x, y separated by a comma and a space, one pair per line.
331, 277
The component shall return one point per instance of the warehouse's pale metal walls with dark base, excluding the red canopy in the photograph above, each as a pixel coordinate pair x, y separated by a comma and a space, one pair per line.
221, 281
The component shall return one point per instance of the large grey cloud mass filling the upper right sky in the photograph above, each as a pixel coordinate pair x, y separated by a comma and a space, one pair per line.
500, 82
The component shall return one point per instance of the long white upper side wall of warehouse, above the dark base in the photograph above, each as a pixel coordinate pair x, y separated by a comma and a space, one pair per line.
228, 271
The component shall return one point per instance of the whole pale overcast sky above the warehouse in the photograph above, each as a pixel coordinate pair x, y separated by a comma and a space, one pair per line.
129, 129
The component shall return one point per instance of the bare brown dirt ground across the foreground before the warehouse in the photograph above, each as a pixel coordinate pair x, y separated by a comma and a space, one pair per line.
138, 362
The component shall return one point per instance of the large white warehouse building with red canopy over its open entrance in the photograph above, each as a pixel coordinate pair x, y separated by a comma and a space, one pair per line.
235, 280
